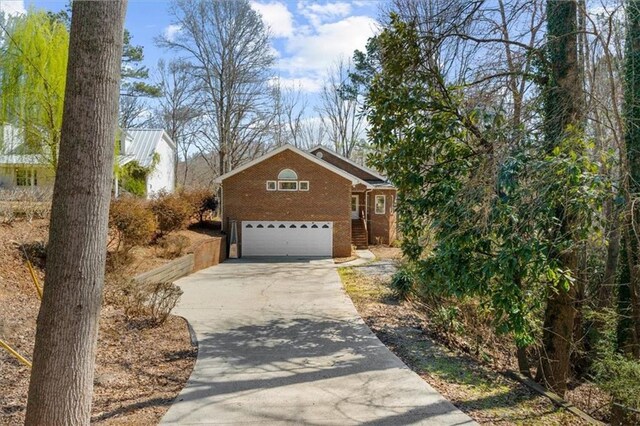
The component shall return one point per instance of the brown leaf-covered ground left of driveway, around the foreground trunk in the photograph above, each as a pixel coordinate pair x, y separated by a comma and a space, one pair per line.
139, 370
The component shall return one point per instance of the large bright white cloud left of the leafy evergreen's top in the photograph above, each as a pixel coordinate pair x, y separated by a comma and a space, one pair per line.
315, 53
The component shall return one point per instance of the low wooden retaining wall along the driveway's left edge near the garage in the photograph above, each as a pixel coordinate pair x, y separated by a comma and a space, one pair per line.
208, 253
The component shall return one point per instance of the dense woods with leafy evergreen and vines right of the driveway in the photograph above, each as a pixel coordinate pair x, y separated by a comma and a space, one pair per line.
510, 129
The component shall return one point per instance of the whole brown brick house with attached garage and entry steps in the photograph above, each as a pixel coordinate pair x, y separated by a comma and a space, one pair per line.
291, 202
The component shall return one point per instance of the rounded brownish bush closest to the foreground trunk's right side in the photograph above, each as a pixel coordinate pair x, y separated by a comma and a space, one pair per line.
131, 222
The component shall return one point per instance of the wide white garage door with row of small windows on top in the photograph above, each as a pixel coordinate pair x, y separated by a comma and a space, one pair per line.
270, 238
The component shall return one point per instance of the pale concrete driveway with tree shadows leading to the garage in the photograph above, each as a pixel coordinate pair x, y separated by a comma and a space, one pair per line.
280, 342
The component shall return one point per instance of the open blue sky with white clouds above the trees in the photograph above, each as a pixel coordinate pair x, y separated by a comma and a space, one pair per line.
308, 36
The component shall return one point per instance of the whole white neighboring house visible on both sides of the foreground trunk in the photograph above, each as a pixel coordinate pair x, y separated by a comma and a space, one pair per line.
19, 169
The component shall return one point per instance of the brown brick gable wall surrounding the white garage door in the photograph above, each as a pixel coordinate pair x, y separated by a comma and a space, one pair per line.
245, 197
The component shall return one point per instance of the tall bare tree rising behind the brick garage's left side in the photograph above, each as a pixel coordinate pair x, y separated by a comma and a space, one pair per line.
228, 48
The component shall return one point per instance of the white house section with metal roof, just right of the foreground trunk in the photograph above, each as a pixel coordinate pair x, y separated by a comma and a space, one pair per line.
142, 145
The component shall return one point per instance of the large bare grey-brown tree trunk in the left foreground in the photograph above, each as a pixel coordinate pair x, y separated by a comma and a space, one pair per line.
61, 384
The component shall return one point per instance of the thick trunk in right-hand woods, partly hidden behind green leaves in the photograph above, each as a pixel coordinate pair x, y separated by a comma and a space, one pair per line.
563, 110
